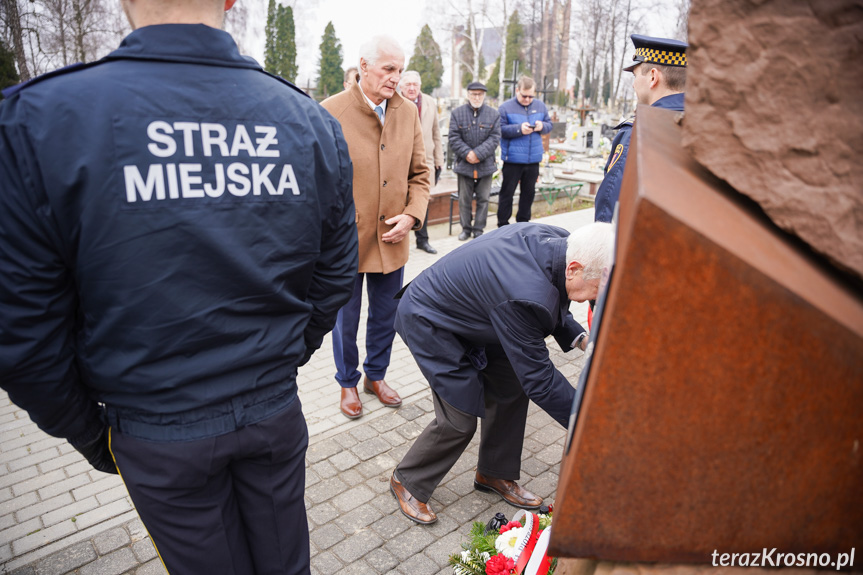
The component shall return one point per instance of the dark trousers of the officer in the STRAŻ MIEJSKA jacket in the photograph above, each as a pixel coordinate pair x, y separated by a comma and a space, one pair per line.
230, 504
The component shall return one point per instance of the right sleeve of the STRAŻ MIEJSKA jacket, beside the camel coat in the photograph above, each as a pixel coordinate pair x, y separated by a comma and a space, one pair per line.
336, 267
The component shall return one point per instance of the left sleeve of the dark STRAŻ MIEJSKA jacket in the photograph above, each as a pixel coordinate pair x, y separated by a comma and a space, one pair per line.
38, 305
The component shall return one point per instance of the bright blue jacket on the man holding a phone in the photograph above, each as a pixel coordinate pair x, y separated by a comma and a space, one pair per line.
518, 148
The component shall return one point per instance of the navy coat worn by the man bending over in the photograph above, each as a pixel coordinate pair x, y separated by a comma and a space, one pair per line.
505, 288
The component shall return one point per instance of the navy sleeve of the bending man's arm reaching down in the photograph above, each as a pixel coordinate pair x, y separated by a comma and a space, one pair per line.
518, 327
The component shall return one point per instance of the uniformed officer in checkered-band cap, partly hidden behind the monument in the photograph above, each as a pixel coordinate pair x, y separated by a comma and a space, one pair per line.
659, 70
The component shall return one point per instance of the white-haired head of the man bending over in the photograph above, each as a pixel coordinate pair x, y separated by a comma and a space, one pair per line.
588, 252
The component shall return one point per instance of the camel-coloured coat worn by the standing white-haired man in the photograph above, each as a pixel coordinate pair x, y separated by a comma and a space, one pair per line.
391, 175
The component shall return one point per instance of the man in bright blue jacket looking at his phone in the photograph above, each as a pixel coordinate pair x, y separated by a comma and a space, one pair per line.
523, 121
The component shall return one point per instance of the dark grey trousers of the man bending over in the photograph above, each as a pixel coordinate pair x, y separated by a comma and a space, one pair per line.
443, 441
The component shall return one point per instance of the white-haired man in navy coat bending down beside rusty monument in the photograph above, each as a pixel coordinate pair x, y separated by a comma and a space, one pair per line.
476, 323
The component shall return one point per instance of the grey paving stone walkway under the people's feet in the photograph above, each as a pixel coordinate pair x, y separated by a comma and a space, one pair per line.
59, 516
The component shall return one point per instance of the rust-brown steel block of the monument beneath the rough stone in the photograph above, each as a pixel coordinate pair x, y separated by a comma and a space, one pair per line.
723, 409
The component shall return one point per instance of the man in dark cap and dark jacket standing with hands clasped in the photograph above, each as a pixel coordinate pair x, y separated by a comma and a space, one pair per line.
474, 133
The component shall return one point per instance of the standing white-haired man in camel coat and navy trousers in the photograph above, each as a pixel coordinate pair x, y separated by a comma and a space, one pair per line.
391, 190
